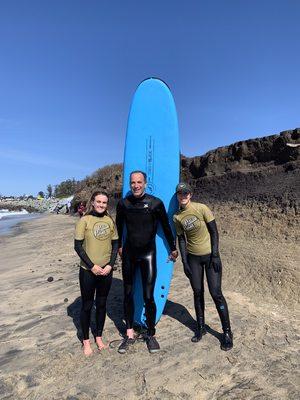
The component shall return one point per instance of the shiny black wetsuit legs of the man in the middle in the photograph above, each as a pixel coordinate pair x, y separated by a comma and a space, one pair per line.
146, 261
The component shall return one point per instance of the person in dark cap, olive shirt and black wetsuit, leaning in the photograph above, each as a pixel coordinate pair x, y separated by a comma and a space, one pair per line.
198, 240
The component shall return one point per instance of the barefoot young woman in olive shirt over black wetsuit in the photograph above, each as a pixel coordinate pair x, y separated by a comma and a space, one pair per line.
96, 243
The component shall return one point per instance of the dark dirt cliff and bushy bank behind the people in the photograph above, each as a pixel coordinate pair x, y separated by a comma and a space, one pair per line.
263, 170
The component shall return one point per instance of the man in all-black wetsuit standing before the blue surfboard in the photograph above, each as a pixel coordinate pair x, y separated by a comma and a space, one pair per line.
141, 213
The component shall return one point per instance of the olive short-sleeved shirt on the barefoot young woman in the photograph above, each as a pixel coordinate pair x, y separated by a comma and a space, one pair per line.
97, 234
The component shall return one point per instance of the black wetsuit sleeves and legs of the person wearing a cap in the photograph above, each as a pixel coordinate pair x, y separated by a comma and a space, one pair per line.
194, 267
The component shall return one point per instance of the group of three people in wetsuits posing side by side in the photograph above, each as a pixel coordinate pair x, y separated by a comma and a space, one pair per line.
98, 241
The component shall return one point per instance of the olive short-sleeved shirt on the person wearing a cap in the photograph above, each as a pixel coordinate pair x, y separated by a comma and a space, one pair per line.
192, 221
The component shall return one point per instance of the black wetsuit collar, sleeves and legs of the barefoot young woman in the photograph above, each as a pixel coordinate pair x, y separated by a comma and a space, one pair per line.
91, 283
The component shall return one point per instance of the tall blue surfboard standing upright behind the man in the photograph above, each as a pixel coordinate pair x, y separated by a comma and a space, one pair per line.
152, 145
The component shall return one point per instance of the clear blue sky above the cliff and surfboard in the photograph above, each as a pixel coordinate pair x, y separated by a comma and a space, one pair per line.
69, 68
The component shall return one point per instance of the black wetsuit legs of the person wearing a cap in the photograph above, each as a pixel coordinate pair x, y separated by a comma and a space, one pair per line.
197, 264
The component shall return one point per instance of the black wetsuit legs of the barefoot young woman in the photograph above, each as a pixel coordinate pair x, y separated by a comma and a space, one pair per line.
89, 284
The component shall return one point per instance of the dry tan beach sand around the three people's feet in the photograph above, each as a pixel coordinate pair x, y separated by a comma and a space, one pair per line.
40, 353
